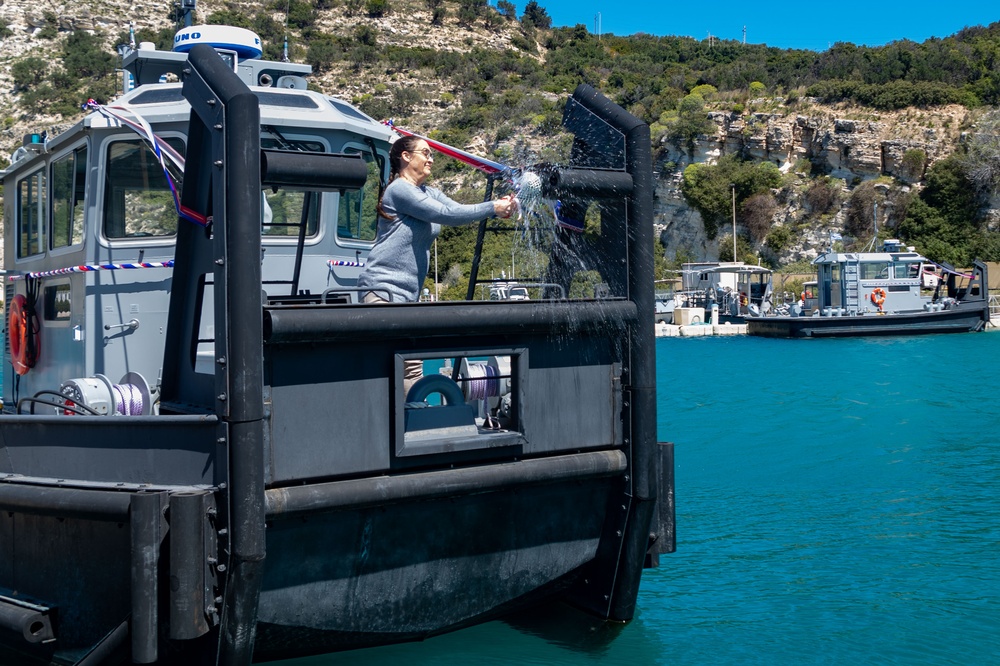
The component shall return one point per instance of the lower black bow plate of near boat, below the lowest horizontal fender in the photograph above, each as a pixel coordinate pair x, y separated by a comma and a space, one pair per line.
351, 579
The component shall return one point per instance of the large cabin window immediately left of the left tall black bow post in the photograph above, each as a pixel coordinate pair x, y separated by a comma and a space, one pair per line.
137, 198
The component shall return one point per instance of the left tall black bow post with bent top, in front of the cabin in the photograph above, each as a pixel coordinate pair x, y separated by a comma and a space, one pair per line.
230, 116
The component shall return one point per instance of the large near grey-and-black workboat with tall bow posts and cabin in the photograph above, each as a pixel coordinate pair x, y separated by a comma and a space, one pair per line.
206, 450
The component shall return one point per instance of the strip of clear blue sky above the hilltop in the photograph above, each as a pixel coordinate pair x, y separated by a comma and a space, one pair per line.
806, 24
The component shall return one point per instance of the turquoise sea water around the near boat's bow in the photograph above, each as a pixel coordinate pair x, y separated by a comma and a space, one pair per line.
838, 502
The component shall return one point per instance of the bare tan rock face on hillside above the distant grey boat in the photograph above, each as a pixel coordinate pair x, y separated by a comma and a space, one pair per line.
848, 144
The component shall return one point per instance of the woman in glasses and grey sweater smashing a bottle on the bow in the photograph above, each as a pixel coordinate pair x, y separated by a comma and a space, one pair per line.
411, 214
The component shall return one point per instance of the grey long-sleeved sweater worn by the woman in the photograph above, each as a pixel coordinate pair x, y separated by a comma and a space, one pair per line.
397, 265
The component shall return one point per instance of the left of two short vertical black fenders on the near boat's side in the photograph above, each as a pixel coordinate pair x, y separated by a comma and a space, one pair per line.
147, 530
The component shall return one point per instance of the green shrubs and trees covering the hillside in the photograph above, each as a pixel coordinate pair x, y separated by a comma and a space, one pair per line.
670, 82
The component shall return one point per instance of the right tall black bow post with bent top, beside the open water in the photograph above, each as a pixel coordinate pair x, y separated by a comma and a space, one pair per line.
640, 384
